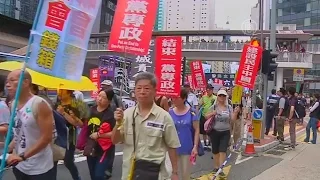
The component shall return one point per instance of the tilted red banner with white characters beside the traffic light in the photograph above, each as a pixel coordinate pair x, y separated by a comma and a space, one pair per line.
249, 65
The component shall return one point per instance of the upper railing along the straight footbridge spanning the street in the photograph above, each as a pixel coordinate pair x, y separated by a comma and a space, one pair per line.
210, 46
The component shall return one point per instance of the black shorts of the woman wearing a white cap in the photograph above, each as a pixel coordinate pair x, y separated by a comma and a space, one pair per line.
220, 141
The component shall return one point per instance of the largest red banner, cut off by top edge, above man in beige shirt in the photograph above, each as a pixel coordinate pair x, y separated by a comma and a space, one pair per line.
132, 26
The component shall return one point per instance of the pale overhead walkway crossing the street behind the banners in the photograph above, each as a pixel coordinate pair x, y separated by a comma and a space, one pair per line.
208, 51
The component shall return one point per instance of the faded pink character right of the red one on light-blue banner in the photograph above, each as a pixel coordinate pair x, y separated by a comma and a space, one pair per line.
80, 22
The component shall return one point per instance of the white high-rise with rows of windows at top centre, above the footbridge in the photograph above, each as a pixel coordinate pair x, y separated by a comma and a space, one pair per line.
189, 15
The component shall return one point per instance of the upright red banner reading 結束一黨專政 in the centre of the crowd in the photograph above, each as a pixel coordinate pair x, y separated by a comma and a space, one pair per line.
168, 65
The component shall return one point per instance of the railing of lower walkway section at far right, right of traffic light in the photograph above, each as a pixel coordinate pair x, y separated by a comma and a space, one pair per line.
294, 57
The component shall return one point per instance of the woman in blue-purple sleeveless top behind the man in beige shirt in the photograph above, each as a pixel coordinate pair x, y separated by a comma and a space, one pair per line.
187, 124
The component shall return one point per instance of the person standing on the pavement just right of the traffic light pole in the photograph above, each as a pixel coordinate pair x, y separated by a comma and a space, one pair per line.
272, 102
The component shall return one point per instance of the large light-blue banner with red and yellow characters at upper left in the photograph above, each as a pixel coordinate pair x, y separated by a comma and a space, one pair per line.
61, 36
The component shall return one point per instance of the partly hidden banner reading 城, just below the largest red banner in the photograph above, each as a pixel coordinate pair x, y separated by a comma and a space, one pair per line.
144, 63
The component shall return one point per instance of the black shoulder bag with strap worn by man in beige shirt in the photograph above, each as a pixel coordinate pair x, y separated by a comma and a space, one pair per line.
141, 169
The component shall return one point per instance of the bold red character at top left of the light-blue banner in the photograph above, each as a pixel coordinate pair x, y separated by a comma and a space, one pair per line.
57, 14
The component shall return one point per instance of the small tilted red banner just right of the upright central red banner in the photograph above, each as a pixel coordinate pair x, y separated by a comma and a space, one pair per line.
198, 75
